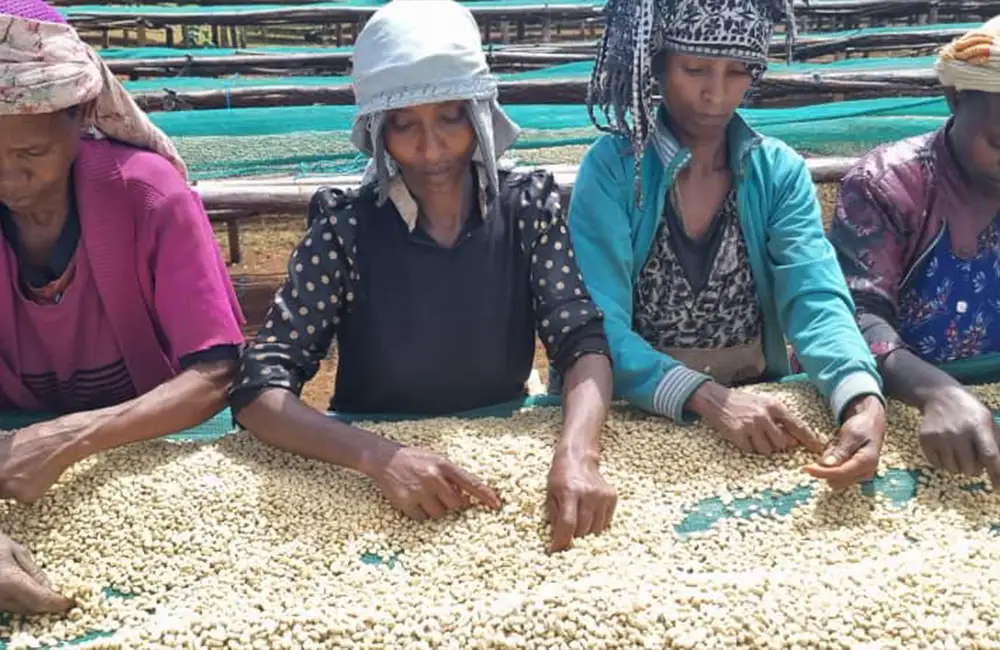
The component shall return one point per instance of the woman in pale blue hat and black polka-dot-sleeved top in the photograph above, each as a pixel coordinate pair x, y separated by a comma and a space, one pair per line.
432, 278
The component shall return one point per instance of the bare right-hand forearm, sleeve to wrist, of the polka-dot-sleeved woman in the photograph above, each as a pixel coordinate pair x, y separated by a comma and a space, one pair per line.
586, 398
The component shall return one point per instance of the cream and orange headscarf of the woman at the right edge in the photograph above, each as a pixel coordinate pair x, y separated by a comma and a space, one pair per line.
972, 62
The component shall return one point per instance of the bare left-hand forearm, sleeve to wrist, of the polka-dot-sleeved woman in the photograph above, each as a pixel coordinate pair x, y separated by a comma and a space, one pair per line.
279, 418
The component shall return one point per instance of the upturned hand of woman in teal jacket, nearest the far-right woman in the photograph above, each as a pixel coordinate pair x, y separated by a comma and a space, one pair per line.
854, 454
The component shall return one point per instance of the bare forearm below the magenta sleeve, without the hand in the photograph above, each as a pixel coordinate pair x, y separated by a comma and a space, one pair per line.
185, 401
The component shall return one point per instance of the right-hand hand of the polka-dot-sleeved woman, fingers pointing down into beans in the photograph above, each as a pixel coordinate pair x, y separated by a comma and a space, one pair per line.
580, 501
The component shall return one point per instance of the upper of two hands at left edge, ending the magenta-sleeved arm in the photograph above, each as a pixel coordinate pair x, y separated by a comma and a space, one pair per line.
33, 458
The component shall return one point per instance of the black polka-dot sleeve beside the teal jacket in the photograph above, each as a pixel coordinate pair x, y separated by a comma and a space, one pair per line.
569, 324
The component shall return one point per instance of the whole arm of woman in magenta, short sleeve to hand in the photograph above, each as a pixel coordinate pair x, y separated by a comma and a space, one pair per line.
195, 310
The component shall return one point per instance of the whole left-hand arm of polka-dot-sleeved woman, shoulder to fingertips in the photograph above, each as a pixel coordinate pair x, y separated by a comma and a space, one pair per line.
286, 353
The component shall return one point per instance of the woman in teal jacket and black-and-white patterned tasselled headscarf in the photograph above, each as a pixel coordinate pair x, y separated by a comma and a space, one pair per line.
702, 241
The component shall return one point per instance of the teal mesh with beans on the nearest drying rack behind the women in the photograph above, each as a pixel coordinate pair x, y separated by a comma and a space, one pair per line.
303, 140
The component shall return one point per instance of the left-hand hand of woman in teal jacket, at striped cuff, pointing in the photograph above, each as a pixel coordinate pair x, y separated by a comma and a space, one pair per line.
754, 423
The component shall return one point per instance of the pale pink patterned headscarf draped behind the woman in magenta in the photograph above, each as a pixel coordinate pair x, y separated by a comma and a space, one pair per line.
46, 68
